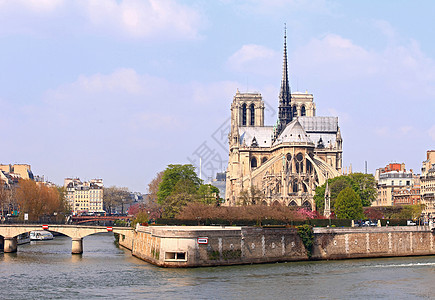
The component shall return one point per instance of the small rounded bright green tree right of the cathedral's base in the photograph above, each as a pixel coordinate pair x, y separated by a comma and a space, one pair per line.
348, 205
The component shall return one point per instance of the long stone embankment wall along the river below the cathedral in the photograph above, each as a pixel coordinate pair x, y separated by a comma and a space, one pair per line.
197, 246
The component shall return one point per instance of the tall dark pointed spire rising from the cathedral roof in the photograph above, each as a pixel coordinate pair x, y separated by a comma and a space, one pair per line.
285, 111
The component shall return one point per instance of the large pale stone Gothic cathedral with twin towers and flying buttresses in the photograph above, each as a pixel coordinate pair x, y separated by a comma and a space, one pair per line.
286, 161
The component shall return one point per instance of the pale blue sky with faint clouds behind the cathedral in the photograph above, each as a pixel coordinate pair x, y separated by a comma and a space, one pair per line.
119, 89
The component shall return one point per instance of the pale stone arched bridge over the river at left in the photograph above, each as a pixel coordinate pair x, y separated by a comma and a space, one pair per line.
75, 232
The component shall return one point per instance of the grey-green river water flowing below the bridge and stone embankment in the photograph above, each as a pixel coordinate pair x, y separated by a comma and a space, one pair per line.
47, 270
